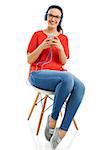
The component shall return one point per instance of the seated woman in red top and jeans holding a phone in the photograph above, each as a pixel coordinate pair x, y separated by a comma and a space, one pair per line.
47, 53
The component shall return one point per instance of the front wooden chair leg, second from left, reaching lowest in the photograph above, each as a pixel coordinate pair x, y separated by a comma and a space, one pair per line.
42, 112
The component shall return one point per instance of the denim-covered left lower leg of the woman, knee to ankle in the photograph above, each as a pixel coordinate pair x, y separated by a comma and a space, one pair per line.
63, 89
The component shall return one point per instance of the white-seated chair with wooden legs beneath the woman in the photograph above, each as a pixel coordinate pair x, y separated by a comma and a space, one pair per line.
47, 93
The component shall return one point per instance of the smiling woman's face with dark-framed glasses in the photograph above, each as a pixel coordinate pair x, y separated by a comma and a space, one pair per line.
53, 17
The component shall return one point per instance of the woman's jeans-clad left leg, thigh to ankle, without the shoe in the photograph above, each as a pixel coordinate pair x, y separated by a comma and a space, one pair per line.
61, 82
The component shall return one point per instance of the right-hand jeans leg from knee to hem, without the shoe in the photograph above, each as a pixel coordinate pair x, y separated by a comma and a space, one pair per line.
73, 103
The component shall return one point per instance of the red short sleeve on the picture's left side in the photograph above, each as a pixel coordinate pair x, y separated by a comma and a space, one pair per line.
33, 43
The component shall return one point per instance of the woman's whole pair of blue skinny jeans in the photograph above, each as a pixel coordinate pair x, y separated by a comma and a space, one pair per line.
64, 84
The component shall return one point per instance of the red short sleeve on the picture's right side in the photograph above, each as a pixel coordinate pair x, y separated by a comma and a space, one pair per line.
66, 46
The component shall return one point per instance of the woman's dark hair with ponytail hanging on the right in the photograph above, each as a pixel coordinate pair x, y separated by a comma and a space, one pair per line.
59, 28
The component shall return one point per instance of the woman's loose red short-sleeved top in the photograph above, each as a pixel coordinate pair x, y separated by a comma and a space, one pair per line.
55, 64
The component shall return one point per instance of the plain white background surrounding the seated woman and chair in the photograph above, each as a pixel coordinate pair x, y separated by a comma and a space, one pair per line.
18, 20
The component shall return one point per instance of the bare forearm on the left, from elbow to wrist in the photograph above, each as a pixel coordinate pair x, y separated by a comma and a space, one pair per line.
32, 57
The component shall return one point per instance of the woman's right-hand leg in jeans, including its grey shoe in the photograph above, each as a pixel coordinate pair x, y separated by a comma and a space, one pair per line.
73, 103
